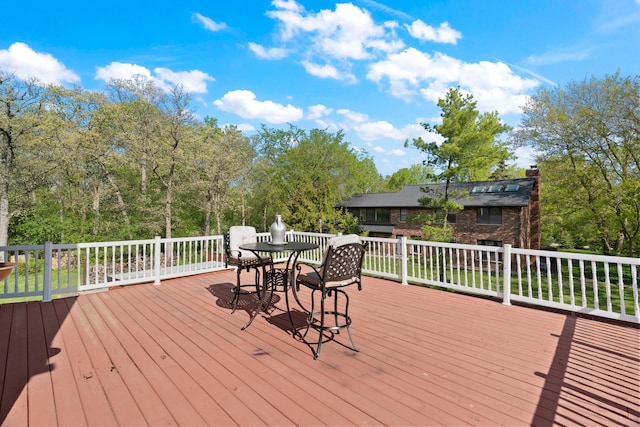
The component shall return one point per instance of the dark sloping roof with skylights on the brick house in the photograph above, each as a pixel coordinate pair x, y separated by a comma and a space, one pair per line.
502, 193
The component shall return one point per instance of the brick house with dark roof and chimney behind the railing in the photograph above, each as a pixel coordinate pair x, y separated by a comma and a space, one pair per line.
495, 212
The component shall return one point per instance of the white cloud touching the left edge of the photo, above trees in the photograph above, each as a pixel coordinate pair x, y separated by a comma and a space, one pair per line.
25, 63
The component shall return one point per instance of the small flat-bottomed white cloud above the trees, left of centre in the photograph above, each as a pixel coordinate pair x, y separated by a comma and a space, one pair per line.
244, 104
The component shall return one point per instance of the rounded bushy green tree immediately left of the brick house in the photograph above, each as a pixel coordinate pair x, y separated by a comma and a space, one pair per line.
310, 173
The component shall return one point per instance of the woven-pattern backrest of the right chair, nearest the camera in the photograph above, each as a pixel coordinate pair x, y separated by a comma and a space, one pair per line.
343, 261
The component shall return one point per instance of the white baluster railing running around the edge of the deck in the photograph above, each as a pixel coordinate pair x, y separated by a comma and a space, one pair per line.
598, 285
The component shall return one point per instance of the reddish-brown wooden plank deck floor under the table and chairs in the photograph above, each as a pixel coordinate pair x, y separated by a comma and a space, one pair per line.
174, 355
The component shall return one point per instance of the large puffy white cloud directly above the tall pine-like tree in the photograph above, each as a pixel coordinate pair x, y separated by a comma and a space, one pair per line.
411, 71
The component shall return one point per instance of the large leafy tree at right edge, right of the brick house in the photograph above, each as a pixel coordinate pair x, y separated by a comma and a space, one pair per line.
587, 135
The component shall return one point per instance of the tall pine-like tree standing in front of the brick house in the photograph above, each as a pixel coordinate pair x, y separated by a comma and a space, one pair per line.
470, 151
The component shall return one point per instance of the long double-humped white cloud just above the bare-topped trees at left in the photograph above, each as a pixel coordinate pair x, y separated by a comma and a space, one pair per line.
194, 81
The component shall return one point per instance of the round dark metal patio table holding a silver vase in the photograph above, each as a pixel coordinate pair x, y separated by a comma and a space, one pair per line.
273, 277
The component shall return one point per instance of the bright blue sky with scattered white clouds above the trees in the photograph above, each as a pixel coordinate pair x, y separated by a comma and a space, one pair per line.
373, 69
